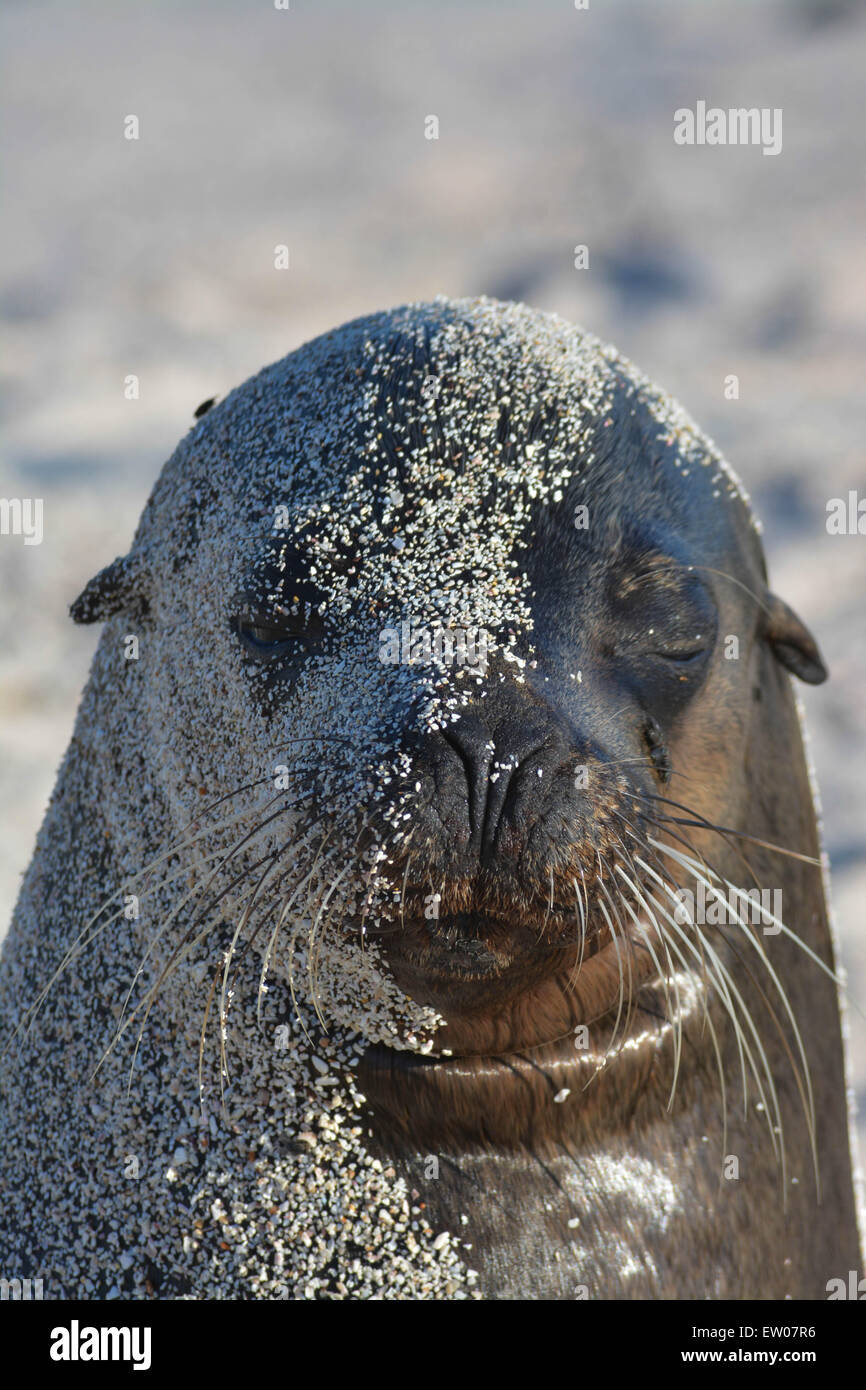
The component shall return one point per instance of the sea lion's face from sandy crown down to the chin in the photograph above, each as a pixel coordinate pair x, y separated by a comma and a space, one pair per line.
455, 591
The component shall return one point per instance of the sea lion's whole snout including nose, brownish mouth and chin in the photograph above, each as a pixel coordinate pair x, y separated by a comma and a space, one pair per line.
516, 811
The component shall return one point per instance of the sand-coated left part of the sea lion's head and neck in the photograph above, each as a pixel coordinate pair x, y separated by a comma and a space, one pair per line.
400, 462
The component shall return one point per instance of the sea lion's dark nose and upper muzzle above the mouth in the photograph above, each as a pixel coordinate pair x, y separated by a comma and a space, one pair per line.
498, 806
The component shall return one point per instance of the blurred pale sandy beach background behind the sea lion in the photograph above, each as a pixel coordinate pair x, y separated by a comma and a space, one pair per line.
263, 127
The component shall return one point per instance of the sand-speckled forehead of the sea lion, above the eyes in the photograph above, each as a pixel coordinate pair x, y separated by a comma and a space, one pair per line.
412, 445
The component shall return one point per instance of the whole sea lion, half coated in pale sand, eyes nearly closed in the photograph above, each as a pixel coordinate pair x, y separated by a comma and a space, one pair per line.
389, 886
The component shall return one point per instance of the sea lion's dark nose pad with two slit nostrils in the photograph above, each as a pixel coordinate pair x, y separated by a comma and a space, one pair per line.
503, 774
